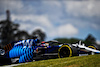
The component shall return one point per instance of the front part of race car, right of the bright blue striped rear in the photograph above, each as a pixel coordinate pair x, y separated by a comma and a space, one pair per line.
65, 49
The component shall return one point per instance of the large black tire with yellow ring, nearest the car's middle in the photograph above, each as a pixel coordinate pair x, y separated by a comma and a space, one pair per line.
67, 51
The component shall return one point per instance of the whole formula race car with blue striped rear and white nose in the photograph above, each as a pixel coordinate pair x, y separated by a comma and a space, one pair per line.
31, 49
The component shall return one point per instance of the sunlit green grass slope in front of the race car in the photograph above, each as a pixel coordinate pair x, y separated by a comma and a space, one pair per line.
77, 61
